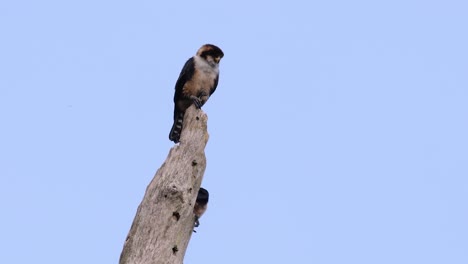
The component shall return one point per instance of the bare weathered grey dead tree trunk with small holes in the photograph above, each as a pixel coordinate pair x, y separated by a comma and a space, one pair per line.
164, 220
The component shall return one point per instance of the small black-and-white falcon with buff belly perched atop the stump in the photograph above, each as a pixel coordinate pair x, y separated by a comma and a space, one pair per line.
197, 81
